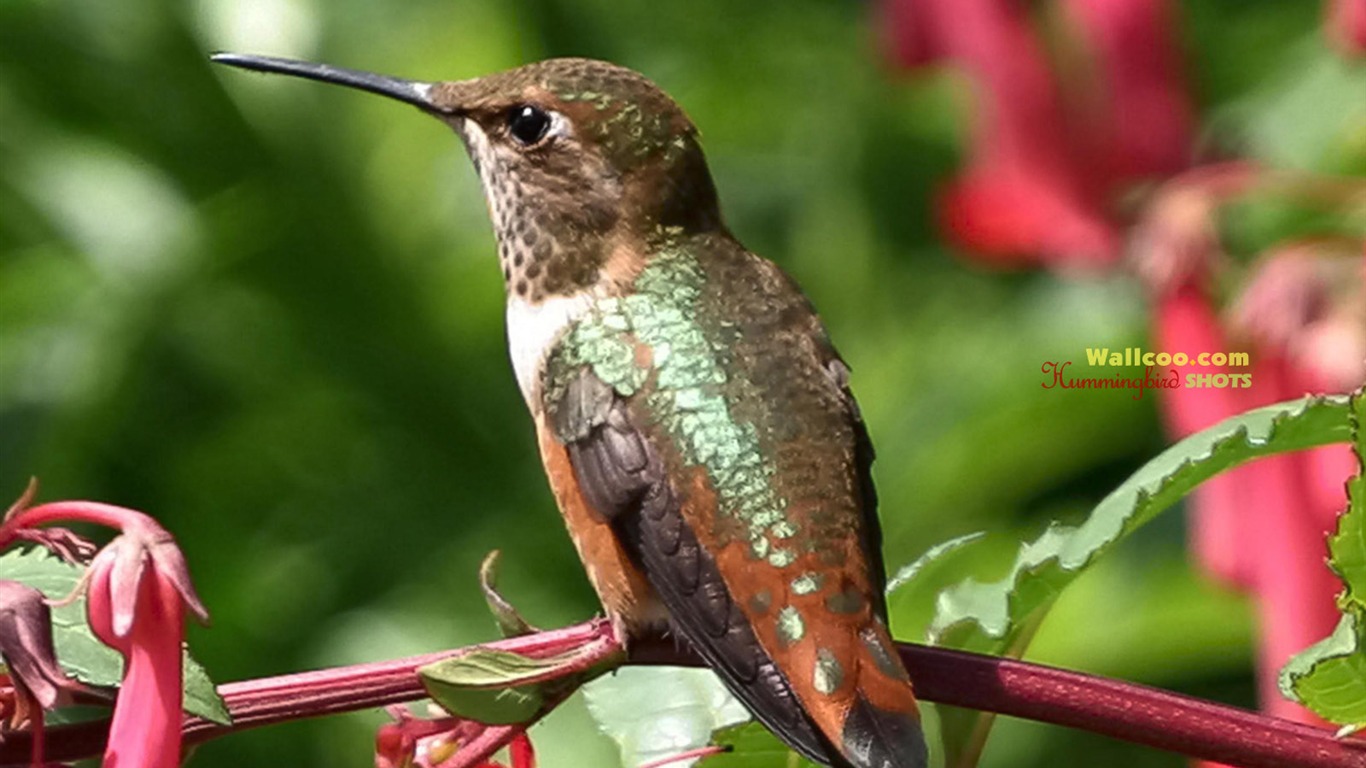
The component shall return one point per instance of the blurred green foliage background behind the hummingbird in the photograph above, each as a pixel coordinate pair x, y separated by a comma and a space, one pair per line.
268, 312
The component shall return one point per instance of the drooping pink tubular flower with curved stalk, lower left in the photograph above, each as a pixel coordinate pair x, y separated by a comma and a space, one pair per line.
139, 591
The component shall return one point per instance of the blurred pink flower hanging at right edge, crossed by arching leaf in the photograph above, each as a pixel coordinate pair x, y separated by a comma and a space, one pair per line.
1293, 294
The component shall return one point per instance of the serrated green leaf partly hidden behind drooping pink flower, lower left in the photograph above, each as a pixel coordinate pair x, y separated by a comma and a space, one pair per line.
80, 653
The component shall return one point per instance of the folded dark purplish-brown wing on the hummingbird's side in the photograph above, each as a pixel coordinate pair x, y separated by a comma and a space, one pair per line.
624, 479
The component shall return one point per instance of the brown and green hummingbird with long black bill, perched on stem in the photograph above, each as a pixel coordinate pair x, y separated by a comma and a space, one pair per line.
695, 420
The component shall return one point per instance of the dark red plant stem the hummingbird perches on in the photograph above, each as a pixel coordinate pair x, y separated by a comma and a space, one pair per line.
1102, 706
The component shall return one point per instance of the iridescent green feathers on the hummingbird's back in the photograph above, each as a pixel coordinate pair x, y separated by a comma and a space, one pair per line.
719, 407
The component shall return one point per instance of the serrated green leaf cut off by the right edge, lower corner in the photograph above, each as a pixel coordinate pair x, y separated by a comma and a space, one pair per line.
1330, 677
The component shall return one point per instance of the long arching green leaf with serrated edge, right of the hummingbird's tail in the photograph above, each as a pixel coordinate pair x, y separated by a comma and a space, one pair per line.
1001, 618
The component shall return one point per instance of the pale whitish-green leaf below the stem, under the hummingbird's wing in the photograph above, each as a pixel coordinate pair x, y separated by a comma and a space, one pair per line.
656, 713
